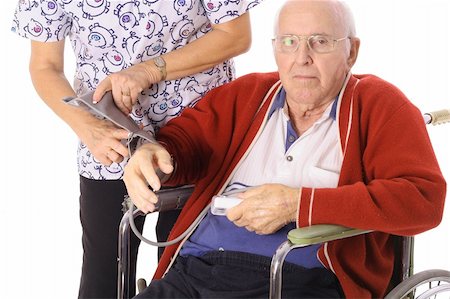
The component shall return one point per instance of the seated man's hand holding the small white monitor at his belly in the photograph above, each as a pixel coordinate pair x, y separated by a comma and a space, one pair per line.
265, 209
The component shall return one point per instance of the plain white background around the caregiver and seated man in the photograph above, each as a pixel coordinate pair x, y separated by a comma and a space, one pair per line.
405, 42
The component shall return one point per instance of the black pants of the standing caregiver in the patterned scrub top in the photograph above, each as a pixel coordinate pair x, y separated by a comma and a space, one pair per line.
100, 214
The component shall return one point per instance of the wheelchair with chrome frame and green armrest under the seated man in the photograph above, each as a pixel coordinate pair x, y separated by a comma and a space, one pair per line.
405, 284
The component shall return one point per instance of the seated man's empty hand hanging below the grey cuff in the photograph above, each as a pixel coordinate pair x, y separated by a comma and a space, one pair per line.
140, 172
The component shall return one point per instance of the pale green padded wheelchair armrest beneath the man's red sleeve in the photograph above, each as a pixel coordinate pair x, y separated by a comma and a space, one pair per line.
321, 233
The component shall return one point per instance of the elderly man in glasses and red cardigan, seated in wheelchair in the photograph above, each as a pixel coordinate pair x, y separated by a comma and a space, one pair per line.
311, 144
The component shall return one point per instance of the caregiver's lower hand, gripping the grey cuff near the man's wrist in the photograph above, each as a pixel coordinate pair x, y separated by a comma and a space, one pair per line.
103, 138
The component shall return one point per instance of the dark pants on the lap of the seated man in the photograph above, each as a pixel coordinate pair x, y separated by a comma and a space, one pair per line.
239, 275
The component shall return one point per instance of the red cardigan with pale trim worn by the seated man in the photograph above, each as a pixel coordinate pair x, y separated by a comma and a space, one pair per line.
390, 180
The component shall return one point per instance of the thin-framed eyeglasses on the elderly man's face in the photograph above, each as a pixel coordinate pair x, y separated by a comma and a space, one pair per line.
289, 43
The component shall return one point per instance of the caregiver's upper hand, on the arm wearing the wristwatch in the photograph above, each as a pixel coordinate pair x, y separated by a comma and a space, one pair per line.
126, 85
